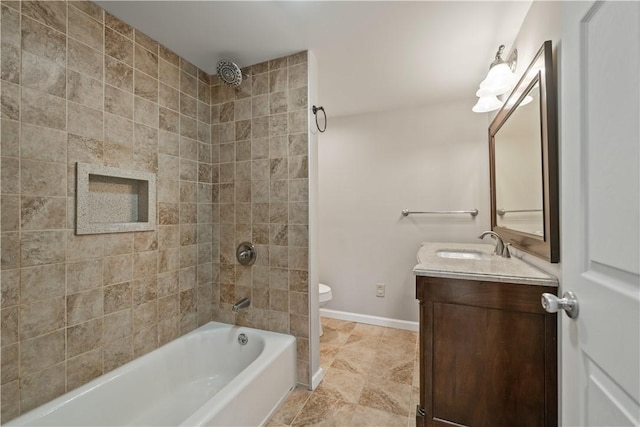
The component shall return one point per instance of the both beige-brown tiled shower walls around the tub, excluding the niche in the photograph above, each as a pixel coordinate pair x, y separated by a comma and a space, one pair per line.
78, 85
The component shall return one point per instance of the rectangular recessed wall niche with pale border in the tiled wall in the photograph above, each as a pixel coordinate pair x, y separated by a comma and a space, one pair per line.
111, 200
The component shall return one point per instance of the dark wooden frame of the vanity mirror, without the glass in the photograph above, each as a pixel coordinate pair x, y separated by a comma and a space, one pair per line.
541, 72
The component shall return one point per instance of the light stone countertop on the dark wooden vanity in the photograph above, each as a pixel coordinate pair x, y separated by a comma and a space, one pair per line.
494, 269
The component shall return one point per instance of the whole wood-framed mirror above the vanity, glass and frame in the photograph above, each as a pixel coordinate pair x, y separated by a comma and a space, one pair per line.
523, 148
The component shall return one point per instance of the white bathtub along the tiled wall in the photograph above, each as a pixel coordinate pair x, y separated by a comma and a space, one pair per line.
205, 378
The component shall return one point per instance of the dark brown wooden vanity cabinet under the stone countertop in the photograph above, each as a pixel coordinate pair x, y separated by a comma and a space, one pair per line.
488, 354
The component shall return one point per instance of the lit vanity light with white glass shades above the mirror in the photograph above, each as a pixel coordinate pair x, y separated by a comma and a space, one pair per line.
499, 80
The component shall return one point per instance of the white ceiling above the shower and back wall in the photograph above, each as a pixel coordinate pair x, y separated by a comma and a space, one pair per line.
372, 56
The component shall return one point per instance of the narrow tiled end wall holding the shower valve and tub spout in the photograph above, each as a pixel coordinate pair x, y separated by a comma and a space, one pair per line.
260, 195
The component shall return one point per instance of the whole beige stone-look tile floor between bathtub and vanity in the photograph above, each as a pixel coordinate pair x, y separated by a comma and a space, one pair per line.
370, 379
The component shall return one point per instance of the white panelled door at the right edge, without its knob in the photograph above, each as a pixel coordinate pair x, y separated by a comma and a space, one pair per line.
600, 192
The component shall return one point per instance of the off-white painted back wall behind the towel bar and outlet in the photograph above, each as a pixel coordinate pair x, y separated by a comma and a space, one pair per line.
371, 167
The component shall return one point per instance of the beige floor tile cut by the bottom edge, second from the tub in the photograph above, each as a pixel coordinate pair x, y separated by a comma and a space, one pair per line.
323, 411
